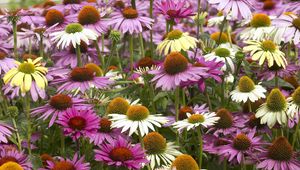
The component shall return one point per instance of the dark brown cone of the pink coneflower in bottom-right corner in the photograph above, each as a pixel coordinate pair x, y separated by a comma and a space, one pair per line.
280, 150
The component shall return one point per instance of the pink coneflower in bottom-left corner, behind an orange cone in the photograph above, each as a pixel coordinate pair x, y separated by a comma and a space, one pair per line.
11, 155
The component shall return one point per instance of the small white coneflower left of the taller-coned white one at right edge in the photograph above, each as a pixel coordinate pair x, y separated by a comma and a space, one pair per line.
247, 90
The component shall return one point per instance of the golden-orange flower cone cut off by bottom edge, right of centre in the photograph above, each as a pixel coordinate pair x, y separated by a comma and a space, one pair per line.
184, 162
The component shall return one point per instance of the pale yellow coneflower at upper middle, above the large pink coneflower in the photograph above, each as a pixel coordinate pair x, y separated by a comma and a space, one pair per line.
176, 41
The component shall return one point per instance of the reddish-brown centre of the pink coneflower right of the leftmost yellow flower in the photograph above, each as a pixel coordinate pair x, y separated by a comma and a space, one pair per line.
81, 74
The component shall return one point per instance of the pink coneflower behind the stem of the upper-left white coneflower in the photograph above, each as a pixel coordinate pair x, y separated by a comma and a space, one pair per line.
68, 58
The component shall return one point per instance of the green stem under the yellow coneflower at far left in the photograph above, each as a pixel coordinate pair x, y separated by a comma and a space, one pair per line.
27, 112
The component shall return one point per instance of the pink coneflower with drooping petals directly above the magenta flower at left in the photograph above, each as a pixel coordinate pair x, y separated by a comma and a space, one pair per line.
58, 105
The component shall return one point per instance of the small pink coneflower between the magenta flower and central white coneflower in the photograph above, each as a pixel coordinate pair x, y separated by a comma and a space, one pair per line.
105, 133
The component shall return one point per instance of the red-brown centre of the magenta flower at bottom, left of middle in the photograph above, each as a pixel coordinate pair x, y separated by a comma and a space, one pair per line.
121, 154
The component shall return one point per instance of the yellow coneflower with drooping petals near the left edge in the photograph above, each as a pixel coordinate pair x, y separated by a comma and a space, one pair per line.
26, 73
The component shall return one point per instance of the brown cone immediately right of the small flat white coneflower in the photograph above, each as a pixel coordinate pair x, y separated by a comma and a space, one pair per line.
226, 119
